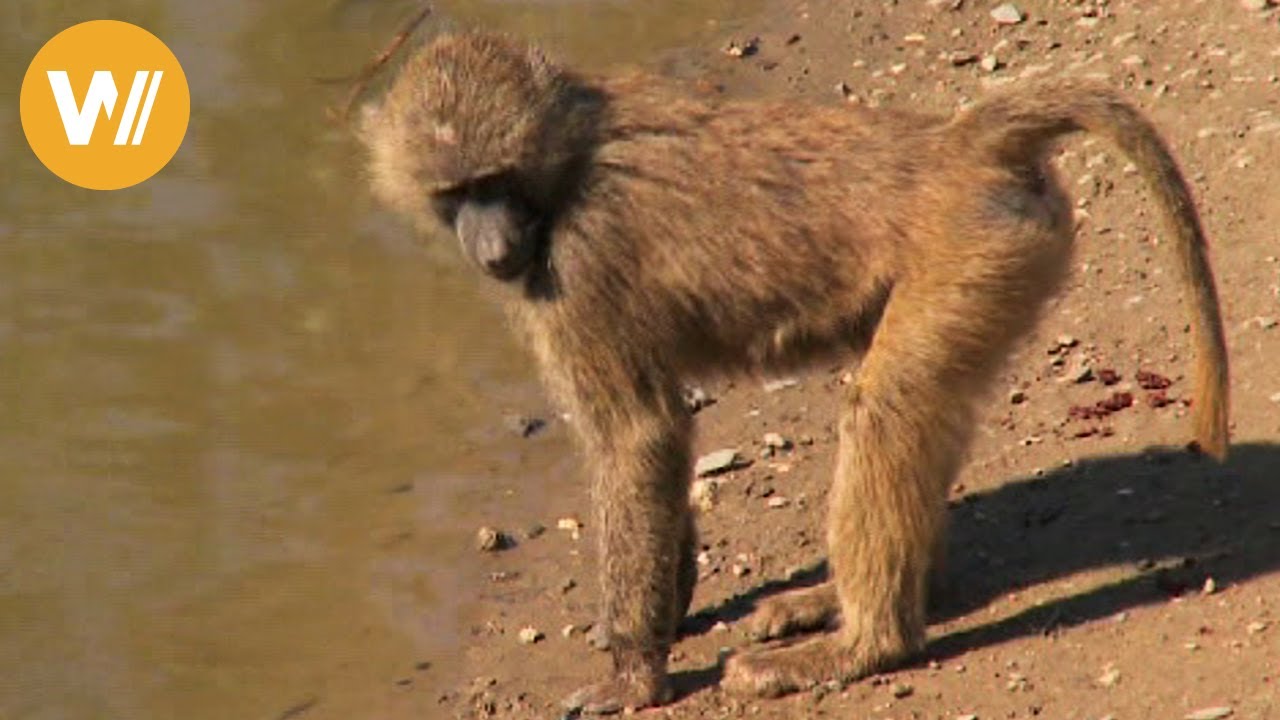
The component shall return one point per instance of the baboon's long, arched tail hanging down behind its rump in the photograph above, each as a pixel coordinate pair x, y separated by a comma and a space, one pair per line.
1020, 127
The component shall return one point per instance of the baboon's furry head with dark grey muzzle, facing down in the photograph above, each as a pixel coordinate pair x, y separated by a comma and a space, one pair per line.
484, 136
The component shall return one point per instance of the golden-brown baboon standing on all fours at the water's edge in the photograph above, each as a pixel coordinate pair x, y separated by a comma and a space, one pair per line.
646, 236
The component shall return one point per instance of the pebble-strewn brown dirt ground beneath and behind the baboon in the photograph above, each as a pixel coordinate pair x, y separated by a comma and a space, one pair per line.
1092, 575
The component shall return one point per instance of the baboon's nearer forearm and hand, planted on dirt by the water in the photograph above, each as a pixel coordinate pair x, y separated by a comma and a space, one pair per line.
641, 493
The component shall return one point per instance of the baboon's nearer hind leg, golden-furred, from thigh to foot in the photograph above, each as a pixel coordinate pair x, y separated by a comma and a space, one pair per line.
903, 431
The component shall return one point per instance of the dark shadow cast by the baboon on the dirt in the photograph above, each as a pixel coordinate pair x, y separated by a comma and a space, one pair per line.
1173, 518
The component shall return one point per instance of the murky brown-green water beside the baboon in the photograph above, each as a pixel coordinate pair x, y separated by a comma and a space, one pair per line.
250, 426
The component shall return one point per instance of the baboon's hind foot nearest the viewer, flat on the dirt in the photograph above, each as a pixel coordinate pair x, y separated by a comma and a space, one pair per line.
779, 672
